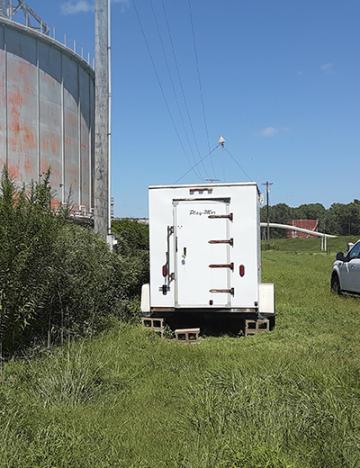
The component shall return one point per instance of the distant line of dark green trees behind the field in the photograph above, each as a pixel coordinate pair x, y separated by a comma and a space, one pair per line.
339, 218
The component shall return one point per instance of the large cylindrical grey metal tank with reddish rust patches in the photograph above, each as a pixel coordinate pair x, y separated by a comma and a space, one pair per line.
47, 96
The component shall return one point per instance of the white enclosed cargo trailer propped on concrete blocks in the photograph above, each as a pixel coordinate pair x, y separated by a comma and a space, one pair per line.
205, 251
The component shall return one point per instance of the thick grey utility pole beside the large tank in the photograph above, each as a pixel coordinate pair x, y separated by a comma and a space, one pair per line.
102, 120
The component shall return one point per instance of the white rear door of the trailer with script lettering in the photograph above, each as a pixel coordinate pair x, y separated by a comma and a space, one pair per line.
202, 253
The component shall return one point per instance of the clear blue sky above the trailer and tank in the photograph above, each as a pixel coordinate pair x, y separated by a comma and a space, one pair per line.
280, 80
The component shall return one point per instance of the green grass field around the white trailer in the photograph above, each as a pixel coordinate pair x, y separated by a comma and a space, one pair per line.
130, 399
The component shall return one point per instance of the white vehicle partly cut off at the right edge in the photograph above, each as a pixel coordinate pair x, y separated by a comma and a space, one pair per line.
345, 275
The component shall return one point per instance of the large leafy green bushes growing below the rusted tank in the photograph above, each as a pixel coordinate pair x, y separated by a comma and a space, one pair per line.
56, 279
